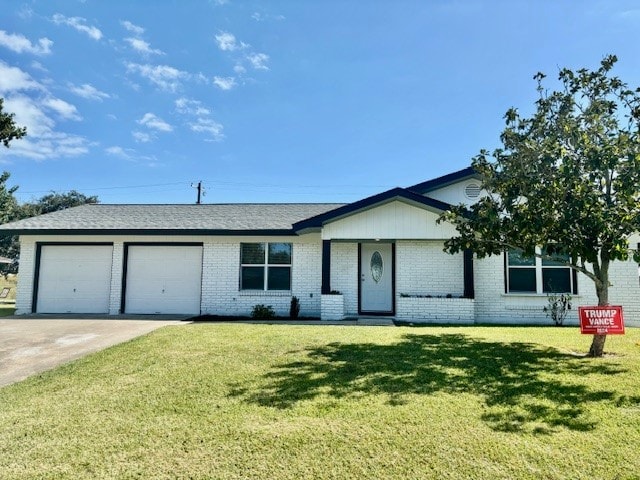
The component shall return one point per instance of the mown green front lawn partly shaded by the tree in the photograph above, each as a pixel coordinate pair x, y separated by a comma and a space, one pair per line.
236, 401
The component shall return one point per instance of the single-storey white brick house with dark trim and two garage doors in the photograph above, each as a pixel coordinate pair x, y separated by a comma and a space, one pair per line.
383, 254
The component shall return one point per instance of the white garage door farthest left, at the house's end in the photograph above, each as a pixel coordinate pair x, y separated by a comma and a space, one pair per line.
74, 279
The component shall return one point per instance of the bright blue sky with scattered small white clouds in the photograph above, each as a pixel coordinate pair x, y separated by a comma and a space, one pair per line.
279, 101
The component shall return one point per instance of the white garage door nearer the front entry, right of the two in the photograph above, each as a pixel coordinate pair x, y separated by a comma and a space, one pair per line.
163, 279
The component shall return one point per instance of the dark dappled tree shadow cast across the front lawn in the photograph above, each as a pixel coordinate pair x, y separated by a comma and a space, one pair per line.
521, 383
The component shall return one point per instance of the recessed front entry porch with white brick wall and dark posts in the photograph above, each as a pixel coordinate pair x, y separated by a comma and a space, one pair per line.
405, 280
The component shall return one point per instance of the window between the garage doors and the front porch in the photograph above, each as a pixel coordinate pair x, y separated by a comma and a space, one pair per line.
265, 266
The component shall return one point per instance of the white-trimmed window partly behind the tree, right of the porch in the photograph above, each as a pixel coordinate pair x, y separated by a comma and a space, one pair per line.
538, 275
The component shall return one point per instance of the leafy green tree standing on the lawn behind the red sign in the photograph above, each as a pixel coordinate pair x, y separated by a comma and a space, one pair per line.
566, 179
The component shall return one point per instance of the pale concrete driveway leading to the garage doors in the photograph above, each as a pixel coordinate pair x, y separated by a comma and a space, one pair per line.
33, 345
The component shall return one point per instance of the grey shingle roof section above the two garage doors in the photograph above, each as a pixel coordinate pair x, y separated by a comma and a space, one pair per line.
186, 219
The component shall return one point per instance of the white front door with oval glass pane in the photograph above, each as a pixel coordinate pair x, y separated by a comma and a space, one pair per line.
376, 278
